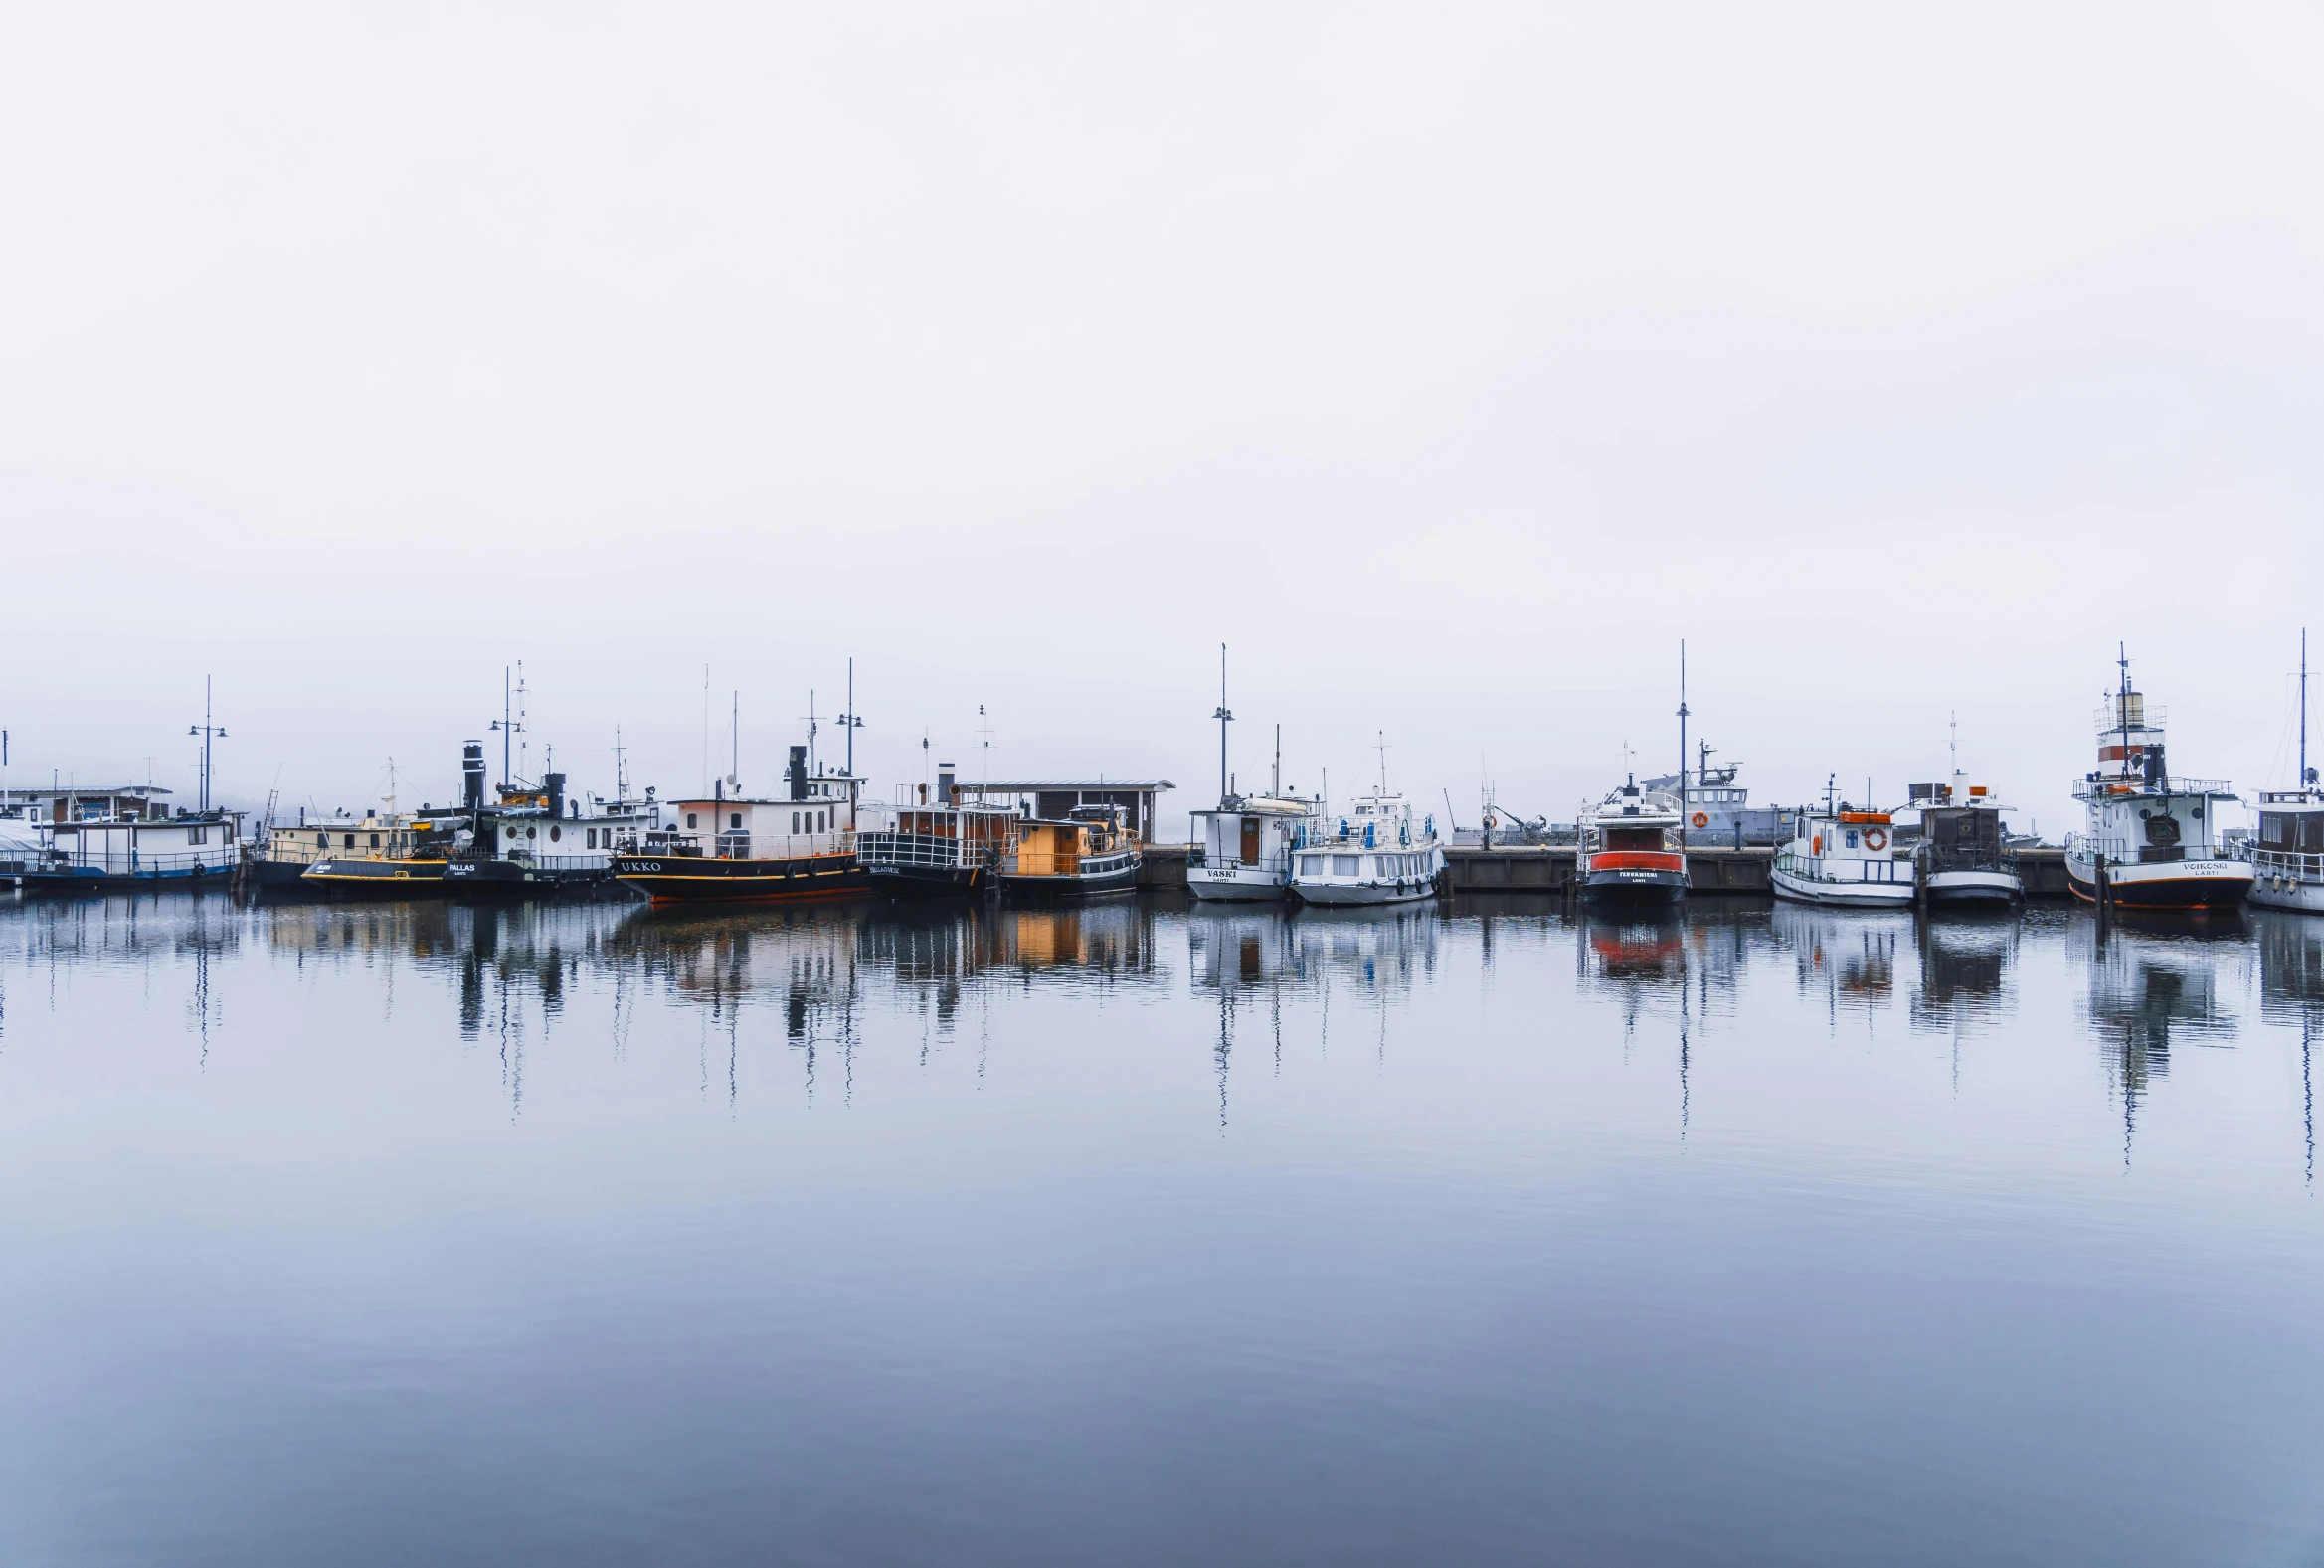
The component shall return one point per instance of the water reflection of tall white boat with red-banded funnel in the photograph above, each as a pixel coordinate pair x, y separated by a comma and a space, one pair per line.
2158, 981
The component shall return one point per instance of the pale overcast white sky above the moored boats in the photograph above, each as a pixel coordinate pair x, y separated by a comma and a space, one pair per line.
1447, 364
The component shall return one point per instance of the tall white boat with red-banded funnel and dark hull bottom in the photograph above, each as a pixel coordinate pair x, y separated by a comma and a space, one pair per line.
2149, 835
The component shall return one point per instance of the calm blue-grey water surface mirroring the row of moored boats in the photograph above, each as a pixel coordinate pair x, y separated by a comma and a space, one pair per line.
392, 1235
